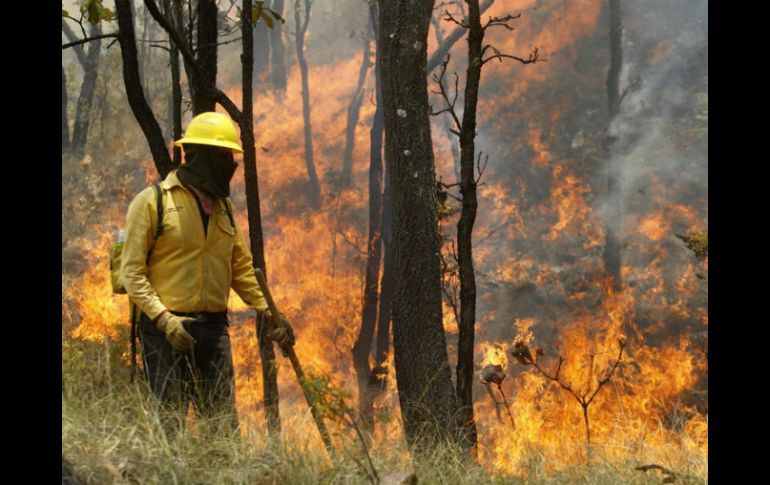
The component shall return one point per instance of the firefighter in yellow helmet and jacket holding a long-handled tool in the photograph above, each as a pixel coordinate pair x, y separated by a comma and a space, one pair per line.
181, 280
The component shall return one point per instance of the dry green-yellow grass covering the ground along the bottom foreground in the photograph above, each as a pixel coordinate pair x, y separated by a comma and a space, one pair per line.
111, 435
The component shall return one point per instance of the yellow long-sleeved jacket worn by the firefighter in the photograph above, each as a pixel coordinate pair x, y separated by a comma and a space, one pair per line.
188, 271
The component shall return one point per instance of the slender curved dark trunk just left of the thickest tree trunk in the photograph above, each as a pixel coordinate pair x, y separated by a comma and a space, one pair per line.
363, 346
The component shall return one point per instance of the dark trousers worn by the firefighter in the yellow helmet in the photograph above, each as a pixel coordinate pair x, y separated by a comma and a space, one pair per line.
204, 376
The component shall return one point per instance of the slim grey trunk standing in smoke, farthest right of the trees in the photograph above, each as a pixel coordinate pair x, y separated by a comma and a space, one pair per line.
614, 221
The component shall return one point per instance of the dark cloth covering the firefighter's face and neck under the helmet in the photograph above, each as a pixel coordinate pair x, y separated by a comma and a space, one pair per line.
208, 168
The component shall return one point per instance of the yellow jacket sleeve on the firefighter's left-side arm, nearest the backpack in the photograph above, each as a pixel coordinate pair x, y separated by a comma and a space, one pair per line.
140, 222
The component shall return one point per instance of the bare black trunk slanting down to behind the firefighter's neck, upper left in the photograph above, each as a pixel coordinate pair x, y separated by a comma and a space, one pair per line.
134, 92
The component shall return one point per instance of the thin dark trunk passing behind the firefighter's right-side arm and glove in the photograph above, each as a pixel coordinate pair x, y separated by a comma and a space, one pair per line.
266, 351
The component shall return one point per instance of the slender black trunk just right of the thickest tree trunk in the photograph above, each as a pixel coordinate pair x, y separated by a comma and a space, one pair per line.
465, 228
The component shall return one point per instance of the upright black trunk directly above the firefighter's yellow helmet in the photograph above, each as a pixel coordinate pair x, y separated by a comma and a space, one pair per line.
206, 56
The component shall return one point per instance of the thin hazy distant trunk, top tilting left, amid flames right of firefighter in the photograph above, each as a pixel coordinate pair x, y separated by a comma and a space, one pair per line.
301, 28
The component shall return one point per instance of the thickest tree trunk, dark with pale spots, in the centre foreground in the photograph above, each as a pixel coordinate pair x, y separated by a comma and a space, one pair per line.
426, 394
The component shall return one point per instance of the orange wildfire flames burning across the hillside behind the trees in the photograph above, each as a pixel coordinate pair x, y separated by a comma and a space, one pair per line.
316, 257
